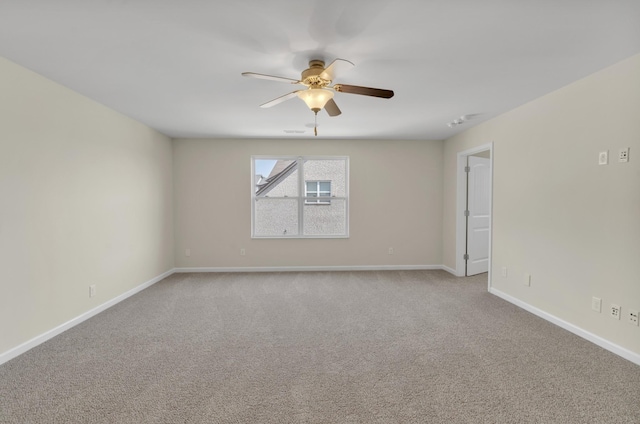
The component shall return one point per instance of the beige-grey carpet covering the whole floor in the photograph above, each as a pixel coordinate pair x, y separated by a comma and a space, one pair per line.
322, 347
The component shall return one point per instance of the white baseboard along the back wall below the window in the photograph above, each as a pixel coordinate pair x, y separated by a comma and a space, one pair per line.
313, 268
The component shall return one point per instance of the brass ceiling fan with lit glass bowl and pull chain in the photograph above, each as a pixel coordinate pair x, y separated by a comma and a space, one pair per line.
319, 92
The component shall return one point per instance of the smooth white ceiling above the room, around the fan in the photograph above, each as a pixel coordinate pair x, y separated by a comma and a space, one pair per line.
176, 65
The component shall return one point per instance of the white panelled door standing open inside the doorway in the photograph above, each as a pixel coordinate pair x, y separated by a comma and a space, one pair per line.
479, 218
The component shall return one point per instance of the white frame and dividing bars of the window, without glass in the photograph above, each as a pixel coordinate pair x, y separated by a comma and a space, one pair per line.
301, 199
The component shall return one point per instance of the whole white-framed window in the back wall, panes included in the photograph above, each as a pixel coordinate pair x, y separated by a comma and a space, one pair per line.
299, 197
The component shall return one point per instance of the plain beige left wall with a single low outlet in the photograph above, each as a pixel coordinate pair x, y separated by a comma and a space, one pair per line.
85, 198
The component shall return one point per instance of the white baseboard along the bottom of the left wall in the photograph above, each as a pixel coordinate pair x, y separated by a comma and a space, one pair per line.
19, 350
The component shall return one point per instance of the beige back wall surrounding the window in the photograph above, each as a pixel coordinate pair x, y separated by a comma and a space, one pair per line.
396, 201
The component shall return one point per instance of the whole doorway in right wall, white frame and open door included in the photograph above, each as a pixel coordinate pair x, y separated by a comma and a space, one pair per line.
473, 211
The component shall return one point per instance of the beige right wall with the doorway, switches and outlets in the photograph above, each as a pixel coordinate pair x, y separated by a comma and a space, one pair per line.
558, 215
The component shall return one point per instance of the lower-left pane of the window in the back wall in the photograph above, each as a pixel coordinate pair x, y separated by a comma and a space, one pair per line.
276, 217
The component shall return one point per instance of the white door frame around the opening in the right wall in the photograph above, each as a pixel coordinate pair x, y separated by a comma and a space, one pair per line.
461, 205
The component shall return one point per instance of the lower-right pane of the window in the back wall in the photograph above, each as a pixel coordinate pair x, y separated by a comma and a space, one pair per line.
325, 220
